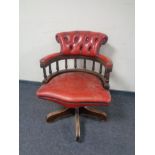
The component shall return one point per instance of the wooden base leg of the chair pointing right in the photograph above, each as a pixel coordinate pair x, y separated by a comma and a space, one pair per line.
93, 112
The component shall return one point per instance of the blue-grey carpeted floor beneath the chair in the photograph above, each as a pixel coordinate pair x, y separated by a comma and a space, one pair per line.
114, 137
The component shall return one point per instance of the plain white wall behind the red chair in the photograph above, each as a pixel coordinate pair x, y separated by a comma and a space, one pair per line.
40, 20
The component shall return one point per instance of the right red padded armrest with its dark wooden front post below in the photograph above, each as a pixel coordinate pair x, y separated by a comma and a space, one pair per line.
108, 68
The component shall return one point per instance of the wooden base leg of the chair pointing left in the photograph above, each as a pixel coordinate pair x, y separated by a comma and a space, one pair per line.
59, 114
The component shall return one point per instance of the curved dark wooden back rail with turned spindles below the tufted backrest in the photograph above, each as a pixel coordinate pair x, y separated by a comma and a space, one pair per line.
49, 74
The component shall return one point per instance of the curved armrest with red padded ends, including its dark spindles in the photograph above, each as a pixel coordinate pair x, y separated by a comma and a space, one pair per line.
103, 60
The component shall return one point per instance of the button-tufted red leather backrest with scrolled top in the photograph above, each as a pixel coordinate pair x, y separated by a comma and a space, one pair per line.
81, 42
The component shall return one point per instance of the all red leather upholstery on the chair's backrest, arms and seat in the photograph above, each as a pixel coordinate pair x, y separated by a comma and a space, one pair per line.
77, 89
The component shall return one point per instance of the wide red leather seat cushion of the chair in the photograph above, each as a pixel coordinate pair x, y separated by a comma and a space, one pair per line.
75, 87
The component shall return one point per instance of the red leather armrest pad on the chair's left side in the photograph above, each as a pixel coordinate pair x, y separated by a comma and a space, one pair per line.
46, 60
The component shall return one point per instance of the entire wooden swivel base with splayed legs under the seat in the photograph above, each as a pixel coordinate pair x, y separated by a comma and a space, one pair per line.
71, 111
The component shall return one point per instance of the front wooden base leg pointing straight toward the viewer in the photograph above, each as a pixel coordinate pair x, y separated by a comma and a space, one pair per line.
77, 124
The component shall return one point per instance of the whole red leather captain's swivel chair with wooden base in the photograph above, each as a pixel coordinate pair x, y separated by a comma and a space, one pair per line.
77, 88
